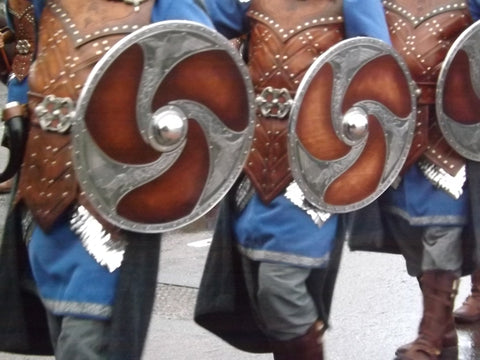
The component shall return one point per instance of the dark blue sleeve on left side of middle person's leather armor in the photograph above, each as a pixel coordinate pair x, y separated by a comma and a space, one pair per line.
229, 16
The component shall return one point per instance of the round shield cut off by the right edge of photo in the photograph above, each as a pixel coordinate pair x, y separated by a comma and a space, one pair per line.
457, 95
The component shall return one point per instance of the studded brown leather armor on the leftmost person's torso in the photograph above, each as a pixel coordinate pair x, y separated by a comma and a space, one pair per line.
73, 36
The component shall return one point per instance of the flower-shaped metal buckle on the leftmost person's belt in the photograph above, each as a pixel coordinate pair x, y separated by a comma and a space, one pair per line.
55, 113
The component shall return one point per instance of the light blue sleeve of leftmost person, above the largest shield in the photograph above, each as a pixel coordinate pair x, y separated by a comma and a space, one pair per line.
180, 10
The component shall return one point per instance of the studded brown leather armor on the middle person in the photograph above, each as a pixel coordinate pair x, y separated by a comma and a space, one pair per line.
286, 37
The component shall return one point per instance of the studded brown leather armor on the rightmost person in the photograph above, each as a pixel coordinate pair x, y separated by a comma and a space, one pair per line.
422, 31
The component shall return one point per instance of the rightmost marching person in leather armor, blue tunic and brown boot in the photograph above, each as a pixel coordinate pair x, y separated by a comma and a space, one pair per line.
429, 212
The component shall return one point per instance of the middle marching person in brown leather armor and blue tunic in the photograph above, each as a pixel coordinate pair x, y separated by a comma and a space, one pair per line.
271, 269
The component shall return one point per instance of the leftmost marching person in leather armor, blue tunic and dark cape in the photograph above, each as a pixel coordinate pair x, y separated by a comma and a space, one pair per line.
96, 282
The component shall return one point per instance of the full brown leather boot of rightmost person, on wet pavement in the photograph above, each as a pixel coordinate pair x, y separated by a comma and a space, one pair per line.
439, 289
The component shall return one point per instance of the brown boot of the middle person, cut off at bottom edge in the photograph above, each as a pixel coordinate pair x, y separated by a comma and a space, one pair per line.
306, 347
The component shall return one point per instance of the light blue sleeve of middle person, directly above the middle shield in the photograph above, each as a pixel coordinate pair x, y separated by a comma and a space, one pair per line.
365, 18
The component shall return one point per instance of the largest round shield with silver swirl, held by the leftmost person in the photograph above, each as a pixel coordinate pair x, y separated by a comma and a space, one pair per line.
163, 126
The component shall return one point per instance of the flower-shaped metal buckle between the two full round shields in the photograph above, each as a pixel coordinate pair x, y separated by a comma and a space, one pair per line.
274, 102
